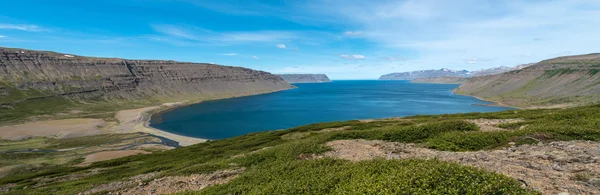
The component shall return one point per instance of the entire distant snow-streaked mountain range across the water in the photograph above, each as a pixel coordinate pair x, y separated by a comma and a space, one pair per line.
444, 72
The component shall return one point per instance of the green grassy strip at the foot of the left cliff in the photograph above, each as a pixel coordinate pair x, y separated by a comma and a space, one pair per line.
23, 105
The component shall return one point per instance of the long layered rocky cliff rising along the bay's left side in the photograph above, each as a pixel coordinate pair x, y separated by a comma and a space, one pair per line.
45, 74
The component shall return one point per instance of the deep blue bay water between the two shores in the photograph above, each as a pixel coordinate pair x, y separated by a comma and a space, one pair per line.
312, 103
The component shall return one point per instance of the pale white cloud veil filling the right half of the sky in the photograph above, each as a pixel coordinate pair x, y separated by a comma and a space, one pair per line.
438, 33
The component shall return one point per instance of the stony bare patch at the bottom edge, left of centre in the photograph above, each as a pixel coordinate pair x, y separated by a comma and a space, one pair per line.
167, 185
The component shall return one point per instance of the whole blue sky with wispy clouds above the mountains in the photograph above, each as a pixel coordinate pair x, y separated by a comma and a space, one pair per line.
346, 39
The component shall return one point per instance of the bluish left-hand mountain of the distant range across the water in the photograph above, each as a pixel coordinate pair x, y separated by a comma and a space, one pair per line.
425, 74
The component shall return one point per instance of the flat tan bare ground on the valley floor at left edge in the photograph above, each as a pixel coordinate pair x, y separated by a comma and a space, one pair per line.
68, 128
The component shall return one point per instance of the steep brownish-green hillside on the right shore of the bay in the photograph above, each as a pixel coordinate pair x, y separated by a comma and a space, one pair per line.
564, 81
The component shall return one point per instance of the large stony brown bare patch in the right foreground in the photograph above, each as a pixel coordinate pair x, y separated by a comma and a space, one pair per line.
550, 168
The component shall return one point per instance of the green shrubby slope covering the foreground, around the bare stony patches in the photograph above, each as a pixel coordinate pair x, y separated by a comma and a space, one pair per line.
275, 166
